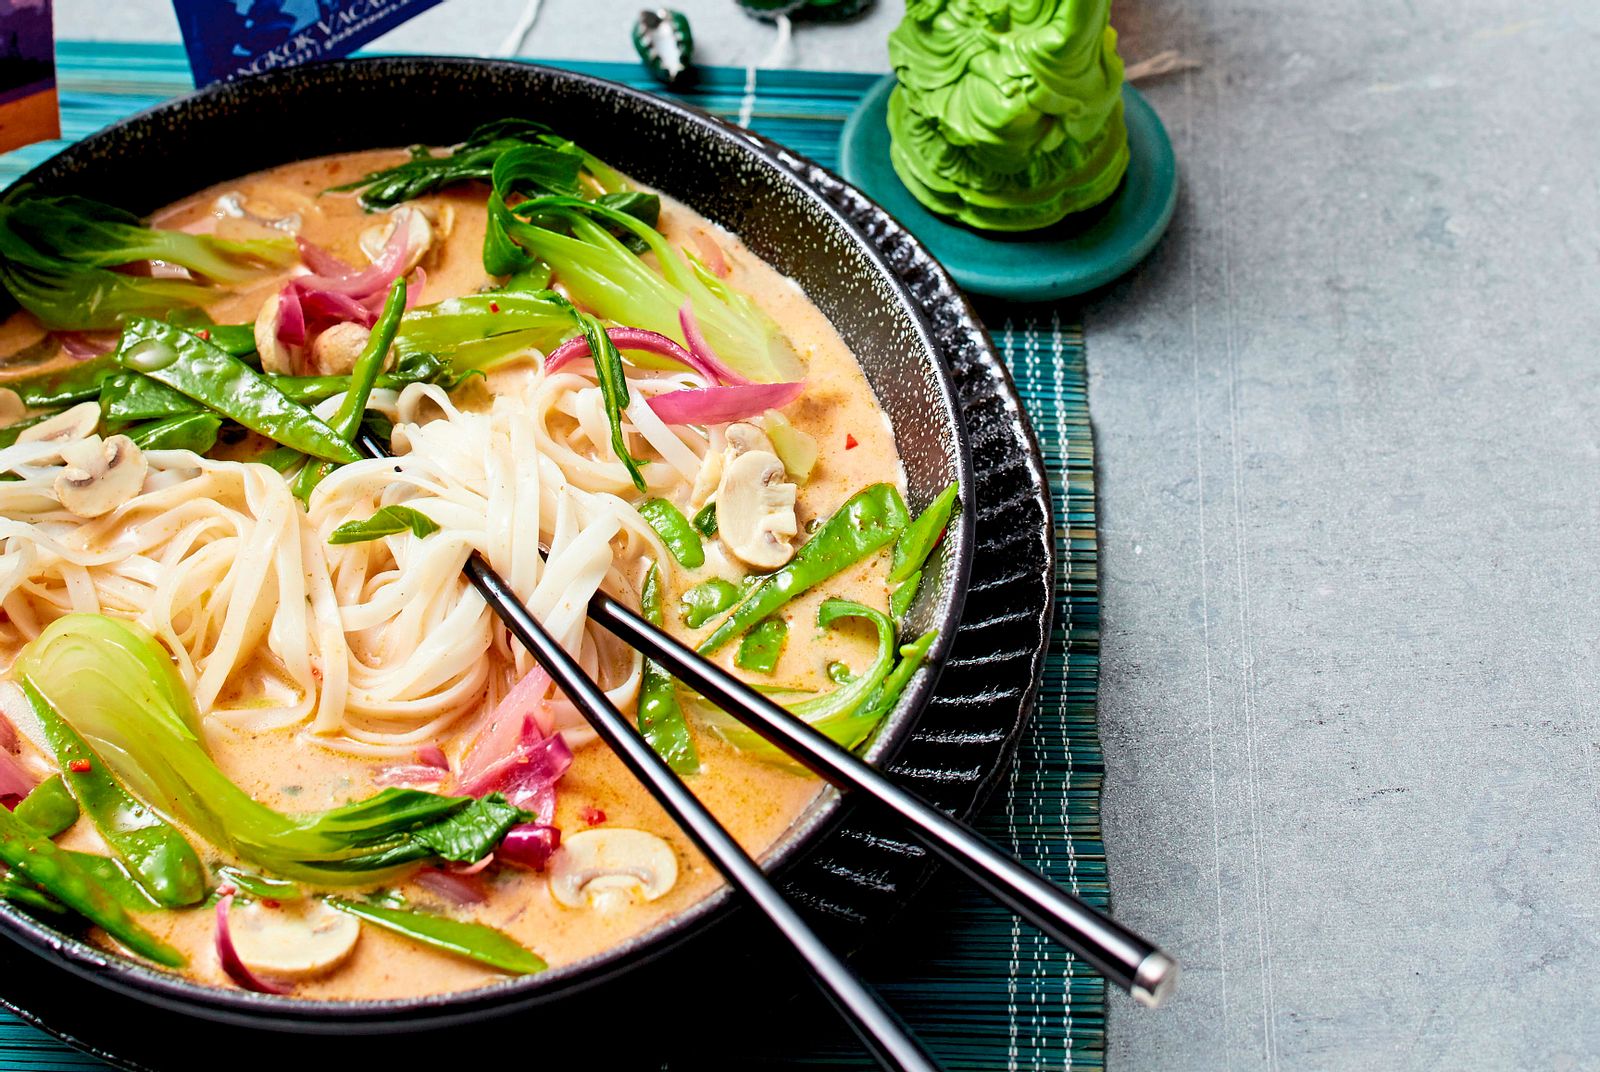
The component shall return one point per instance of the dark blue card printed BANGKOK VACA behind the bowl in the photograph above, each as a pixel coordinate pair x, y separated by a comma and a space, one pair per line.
228, 39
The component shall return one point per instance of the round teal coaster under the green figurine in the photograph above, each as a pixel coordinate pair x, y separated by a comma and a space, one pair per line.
1074, 257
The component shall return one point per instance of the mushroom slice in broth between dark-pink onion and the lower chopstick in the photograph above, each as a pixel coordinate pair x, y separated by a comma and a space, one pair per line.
610, 868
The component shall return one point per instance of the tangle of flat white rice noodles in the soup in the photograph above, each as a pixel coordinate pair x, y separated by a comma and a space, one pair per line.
382, 646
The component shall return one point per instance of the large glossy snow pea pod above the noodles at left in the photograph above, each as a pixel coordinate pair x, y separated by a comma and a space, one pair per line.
220, 382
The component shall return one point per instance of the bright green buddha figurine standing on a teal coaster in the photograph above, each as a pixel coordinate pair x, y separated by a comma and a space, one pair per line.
1009, 113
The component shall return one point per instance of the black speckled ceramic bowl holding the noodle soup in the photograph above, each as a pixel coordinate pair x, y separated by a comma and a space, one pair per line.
718, 170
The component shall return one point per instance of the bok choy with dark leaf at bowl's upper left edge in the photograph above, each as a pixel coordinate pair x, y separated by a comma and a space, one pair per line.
57, 260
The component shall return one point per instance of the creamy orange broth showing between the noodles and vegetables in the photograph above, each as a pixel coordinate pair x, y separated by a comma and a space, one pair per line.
758, 801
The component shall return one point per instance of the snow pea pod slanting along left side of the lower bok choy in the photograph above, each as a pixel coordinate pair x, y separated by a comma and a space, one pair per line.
156, 852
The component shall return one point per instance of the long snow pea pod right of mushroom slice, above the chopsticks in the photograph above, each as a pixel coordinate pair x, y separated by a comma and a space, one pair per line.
866, 524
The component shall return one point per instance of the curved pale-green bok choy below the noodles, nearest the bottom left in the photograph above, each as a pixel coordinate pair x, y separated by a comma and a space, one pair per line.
118, 689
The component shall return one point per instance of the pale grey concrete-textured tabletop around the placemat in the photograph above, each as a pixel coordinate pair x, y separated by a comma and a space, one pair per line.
1350, 474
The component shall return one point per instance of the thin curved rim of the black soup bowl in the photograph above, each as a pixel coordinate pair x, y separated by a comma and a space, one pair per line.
186, 996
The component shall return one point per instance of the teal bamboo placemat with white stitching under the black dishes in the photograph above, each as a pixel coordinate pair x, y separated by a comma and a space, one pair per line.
990, 994
